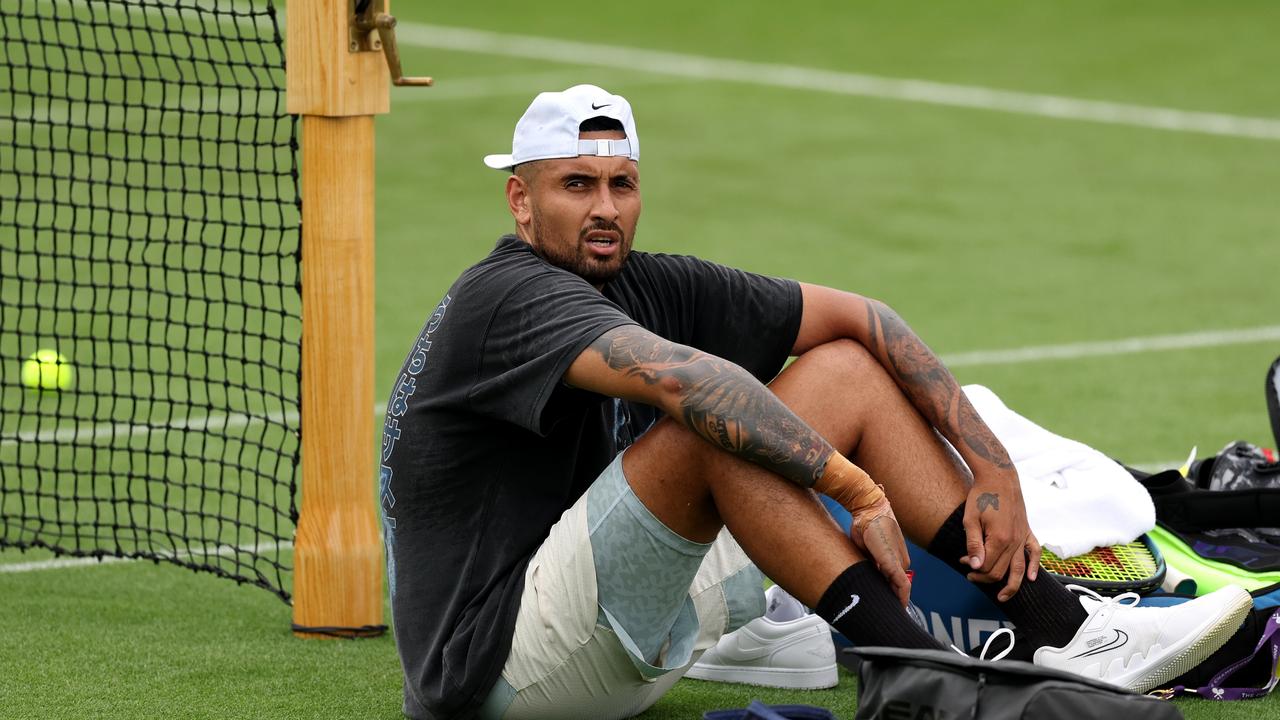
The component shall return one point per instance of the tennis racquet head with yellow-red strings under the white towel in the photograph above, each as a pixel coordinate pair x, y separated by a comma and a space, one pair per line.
1133, 567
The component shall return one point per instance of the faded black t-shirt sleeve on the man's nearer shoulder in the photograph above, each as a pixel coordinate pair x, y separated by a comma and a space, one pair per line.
536, 334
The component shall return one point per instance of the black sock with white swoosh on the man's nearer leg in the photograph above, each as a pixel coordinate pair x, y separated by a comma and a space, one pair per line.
863, 608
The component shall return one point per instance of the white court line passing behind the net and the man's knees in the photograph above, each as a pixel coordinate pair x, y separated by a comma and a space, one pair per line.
979, 358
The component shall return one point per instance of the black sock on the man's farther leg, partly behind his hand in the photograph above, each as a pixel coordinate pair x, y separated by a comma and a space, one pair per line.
1045, 613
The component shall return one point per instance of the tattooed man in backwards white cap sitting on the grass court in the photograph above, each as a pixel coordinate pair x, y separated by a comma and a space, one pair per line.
591, 453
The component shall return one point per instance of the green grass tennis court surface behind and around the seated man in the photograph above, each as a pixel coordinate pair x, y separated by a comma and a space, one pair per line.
989, 230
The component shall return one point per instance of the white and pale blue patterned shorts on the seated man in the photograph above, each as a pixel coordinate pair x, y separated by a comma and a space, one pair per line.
616, 608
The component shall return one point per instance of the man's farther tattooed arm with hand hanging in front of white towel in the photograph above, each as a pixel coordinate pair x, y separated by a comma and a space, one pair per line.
995, 517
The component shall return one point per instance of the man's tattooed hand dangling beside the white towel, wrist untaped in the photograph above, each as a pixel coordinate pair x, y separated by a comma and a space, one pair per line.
1002, 545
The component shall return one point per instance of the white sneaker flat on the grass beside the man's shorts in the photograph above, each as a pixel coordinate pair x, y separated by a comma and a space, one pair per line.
785, 649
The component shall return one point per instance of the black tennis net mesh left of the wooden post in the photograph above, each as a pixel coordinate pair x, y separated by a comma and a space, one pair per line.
149, 239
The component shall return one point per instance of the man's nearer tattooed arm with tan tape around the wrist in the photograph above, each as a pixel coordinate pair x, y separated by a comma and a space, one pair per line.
729, 408
